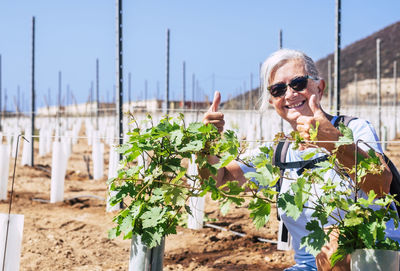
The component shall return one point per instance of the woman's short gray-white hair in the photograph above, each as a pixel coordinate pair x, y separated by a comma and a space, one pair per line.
276, 60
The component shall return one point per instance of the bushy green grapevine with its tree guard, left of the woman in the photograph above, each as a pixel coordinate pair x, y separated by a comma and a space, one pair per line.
153, 183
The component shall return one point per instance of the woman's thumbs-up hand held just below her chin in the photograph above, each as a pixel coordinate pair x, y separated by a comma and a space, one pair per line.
326, 131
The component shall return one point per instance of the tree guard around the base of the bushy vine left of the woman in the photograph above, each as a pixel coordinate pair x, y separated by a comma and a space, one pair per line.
143, 258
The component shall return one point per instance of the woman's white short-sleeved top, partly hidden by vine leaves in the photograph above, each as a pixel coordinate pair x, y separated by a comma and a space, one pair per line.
363, 130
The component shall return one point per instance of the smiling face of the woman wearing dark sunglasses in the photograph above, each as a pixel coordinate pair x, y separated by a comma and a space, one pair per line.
294, 103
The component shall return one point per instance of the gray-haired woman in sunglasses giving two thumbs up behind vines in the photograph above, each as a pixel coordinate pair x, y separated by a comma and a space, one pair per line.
292, 85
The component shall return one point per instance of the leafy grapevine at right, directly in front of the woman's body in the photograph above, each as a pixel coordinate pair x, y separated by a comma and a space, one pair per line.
339, 210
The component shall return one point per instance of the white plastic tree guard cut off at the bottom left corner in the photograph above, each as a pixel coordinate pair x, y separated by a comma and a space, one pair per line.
14, 240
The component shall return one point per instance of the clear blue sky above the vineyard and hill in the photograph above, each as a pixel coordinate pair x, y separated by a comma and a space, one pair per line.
222, 42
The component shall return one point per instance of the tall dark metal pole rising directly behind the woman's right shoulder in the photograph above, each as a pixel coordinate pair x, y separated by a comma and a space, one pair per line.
337, 58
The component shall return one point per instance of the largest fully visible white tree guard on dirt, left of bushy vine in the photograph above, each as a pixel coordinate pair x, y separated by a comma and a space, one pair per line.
58, 170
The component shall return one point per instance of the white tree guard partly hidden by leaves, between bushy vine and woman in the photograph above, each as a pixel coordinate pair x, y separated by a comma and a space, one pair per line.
196, 204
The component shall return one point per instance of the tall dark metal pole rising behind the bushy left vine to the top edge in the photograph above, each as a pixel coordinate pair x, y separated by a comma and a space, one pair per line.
119, 85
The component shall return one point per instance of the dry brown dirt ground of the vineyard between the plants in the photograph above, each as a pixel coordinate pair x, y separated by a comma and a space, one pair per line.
72, 235
